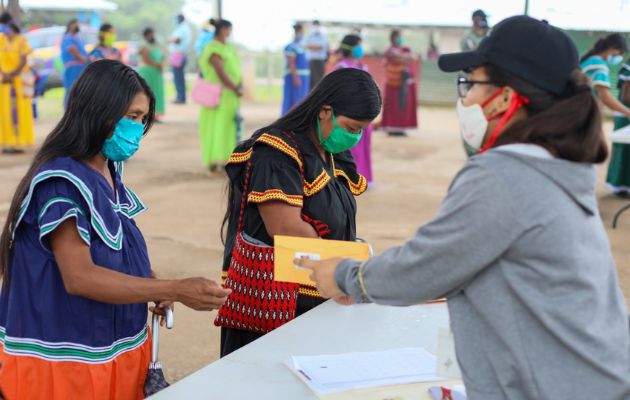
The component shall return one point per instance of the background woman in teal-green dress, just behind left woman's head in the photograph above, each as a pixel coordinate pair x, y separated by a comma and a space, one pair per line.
151, 66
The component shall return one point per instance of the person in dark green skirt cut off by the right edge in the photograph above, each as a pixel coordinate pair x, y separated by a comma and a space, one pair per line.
618, 178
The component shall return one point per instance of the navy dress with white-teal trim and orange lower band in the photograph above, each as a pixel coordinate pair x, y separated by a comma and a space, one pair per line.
54, 345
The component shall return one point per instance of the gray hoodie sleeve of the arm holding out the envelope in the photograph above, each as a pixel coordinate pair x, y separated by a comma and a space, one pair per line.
474, 226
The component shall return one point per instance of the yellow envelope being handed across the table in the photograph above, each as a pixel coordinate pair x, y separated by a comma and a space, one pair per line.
288, 248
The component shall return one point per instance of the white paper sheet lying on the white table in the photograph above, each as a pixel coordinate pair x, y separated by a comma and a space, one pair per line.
341, 372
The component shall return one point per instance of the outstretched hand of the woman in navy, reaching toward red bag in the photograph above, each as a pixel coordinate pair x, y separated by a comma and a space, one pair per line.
201, 294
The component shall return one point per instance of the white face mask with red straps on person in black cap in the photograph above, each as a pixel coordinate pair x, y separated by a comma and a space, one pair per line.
473, 123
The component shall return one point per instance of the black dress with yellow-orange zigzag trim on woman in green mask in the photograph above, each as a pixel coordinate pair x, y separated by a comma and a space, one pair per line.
326, 196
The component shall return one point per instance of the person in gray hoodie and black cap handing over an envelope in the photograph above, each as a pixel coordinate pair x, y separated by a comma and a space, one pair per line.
518, 246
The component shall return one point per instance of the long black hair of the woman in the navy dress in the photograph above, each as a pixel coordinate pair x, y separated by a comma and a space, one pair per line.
97, 101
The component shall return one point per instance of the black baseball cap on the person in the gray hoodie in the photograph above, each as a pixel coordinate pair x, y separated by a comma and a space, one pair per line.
530, 49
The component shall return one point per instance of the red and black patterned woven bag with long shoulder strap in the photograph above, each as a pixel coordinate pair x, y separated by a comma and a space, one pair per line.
257, 303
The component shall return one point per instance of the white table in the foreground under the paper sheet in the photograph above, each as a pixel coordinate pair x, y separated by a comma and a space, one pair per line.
257, 371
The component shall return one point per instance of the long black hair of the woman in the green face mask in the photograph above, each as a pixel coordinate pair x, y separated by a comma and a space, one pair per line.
350, 92
